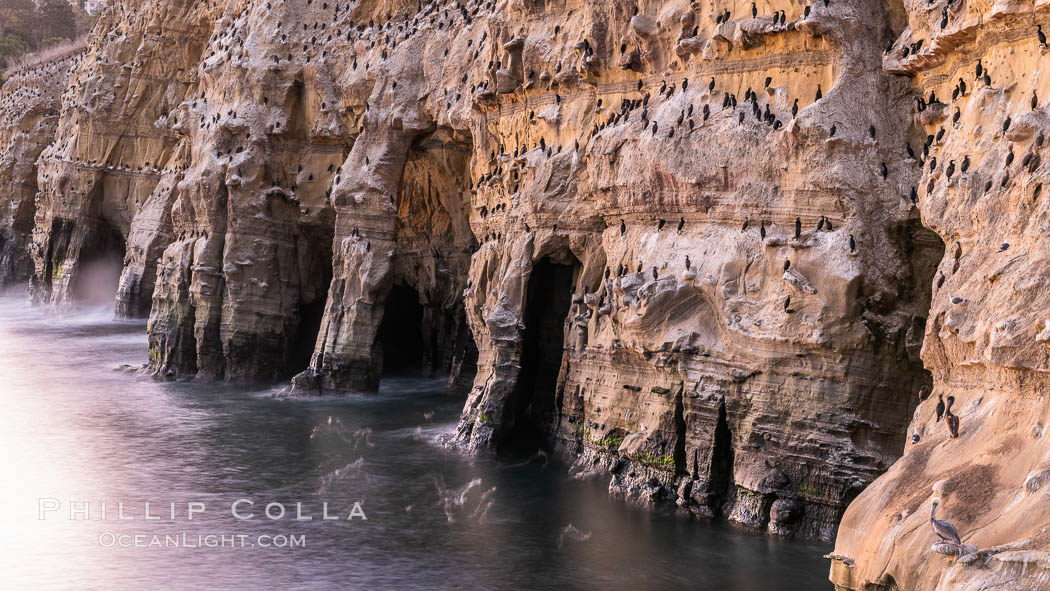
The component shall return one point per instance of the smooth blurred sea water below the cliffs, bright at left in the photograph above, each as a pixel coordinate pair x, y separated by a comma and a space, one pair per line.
74, 429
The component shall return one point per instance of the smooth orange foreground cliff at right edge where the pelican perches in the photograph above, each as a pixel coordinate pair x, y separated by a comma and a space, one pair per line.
981, 75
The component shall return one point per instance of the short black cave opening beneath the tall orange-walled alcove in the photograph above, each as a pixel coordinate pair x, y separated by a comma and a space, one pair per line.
401, 335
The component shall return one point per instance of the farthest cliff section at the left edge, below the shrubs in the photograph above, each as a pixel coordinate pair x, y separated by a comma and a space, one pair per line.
30, 105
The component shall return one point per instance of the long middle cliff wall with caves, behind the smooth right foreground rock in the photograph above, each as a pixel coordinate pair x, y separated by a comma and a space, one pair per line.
678, 246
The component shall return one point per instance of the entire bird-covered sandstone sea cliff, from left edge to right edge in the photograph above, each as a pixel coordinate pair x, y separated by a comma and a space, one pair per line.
726, 256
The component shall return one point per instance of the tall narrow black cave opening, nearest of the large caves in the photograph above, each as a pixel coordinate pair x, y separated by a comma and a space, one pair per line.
535, 402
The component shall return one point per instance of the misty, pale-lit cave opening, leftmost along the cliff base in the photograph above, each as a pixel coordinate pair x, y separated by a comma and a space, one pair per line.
99, 268
